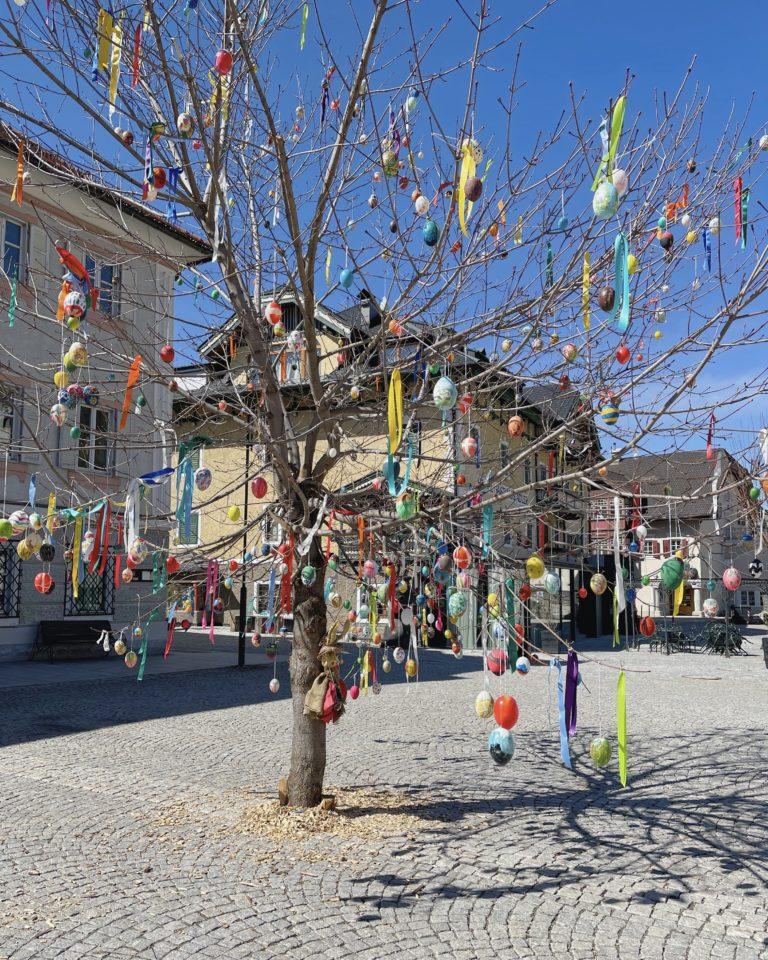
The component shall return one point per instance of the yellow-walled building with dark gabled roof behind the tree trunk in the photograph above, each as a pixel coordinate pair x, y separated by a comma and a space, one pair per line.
212, 394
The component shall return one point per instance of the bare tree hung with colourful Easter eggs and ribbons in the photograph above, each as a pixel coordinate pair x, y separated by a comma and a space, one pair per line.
504, 266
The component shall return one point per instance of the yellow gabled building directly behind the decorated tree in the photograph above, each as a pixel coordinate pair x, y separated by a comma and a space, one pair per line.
550, 518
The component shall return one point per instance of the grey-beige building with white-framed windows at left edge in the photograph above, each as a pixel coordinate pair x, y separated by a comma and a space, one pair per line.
132, 255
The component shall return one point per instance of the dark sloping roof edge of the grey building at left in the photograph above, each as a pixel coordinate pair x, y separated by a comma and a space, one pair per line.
45, 159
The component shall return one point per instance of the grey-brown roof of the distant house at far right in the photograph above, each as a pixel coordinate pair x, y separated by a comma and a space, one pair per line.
683, 473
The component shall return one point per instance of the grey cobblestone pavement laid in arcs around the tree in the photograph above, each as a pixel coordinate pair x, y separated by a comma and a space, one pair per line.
529, 860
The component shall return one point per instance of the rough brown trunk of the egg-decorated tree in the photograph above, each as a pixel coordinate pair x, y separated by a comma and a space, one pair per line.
305, 781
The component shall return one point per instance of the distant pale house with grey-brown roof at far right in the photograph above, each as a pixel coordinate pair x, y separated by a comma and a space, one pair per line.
688, 503
